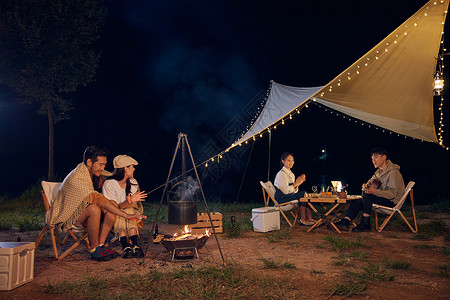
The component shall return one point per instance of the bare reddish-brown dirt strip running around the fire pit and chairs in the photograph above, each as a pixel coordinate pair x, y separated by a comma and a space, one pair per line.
317, 266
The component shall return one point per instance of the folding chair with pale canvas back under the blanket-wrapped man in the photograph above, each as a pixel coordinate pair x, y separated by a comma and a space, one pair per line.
49, 192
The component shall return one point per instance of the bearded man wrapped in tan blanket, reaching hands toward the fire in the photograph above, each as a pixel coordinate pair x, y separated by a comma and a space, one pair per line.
80, 203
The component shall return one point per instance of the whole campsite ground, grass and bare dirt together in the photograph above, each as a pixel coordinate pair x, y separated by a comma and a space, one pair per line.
286, 264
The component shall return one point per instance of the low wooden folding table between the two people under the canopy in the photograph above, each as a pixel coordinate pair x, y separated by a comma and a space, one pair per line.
336, 206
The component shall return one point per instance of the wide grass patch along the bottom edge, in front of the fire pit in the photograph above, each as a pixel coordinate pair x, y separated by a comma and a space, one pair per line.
207, 282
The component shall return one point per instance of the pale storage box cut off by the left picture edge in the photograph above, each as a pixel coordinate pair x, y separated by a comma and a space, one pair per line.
16, 264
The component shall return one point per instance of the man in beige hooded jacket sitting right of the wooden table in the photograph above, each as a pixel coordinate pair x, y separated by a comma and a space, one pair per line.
386, 187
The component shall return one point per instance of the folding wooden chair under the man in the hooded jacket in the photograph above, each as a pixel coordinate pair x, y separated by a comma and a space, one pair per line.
390, 211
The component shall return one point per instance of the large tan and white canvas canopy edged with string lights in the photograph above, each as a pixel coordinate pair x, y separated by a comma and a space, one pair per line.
391, 86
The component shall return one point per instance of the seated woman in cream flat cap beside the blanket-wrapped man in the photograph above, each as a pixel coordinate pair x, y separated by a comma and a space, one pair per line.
124, 189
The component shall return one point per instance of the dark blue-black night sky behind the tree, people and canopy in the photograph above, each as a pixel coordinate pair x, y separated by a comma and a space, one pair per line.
193, 66
